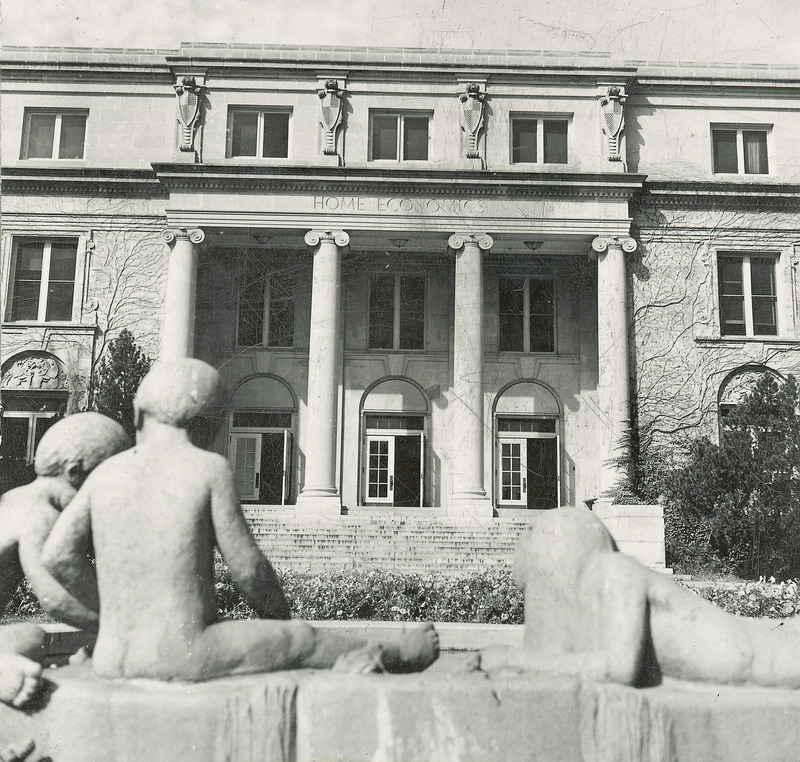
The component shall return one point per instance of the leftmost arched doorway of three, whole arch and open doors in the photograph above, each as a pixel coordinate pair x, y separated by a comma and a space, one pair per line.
261, 443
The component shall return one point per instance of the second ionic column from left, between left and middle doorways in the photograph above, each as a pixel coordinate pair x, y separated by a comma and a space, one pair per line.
320, 494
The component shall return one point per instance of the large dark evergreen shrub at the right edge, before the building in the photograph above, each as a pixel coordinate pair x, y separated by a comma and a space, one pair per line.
745, 492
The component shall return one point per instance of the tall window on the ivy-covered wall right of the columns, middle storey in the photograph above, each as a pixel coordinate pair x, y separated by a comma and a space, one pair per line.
748, 298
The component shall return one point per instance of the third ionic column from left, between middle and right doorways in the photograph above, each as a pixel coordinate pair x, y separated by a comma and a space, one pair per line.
467, 443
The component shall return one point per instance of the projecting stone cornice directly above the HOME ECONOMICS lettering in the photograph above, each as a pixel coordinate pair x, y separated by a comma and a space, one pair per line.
197, 177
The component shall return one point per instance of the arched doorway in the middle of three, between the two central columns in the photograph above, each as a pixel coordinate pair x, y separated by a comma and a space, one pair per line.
394, 421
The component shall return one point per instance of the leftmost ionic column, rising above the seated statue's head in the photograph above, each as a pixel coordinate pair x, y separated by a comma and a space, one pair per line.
177, 336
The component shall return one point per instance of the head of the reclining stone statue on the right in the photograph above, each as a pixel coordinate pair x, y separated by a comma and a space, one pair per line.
559, 542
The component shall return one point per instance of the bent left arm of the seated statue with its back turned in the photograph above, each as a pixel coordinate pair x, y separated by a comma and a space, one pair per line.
60, 560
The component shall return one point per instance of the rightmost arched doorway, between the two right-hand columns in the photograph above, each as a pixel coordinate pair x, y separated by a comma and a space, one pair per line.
528, 454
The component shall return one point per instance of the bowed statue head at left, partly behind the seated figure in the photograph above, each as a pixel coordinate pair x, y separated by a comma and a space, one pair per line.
75, 445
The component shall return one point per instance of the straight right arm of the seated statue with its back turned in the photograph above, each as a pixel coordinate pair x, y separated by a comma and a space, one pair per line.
250, 569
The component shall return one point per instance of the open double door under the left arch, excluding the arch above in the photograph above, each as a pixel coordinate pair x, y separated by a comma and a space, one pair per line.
261, 466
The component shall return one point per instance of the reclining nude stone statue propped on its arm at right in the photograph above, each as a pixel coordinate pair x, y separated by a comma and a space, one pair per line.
596, 613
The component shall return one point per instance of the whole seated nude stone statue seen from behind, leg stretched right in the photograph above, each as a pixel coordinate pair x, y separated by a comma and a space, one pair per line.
154, 514
